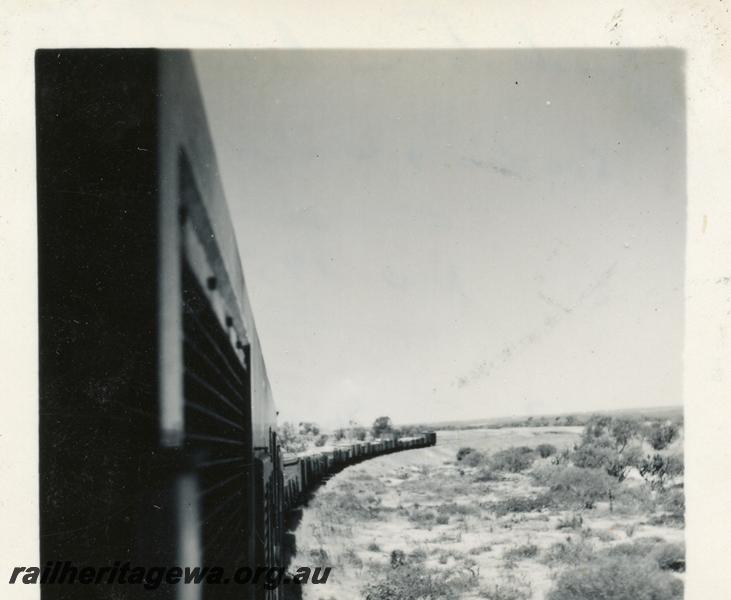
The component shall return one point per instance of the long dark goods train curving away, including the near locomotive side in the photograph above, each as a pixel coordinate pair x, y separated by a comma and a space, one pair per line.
157, 428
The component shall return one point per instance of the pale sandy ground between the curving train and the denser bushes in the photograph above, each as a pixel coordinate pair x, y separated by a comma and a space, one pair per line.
357, 519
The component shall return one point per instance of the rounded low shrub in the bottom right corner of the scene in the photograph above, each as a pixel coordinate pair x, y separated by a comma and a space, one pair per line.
616, 578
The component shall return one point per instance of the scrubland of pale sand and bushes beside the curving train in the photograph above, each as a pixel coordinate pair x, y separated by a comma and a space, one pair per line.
595, 514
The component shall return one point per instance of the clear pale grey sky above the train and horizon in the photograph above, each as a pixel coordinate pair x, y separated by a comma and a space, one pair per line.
449, 235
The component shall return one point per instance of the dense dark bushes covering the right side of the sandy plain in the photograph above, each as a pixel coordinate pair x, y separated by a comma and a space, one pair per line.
631, 466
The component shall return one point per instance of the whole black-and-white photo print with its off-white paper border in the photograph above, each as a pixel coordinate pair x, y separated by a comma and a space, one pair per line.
397, 322
